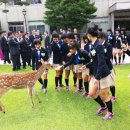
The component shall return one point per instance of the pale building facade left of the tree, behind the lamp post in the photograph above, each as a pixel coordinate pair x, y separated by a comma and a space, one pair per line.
24, 18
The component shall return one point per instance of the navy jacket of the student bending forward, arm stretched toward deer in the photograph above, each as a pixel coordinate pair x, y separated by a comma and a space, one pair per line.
83, 57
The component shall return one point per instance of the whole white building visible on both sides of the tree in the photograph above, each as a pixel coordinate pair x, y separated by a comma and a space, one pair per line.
110, 14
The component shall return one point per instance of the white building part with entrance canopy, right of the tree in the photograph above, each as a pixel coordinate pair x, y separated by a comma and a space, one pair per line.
112, 14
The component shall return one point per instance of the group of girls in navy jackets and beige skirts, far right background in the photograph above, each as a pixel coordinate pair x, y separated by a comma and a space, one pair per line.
116, 40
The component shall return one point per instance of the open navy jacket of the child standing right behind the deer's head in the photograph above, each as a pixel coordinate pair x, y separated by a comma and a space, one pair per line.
43, 55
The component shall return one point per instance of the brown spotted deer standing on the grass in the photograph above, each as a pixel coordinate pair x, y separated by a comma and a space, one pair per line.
19, 81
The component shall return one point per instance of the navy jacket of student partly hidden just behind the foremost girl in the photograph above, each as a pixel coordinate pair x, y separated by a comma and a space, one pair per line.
108, 54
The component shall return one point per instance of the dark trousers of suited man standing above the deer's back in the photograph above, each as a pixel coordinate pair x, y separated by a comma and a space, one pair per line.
16, 61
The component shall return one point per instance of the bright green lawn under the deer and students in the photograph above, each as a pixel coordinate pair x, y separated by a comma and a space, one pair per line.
64, 110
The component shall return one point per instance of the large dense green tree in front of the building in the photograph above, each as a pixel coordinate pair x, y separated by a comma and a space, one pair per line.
69, 13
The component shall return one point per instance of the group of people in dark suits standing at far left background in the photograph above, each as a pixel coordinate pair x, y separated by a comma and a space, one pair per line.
17, 47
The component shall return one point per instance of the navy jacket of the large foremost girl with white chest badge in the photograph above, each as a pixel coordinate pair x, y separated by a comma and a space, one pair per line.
98, 65
